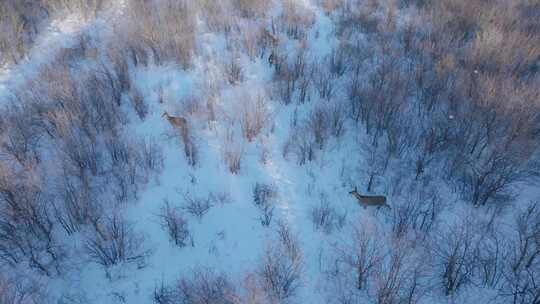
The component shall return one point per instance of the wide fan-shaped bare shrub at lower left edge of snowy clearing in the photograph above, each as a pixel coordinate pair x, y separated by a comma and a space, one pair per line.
113, 241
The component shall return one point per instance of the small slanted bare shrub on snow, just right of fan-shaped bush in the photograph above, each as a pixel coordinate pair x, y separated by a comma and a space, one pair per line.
176, 225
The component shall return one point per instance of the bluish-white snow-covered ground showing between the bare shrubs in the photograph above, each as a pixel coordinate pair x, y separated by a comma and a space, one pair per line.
229, 238
